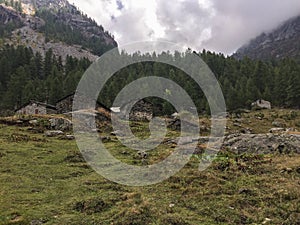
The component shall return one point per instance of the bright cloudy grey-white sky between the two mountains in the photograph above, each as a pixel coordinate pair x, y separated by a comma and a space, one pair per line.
216, 25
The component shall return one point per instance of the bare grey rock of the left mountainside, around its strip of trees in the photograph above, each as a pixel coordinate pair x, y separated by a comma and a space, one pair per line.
29, 30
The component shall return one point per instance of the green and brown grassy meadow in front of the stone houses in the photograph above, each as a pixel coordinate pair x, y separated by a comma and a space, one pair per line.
46, 181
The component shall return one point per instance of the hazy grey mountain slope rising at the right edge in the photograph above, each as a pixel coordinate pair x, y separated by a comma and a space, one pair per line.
280, 43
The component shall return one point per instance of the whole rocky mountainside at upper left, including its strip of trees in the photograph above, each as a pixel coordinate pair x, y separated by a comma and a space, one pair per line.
36, 18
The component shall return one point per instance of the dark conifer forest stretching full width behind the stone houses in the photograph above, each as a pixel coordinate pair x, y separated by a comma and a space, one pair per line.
25, 76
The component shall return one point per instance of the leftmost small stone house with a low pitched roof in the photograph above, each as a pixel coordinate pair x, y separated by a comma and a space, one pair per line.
35, 107
